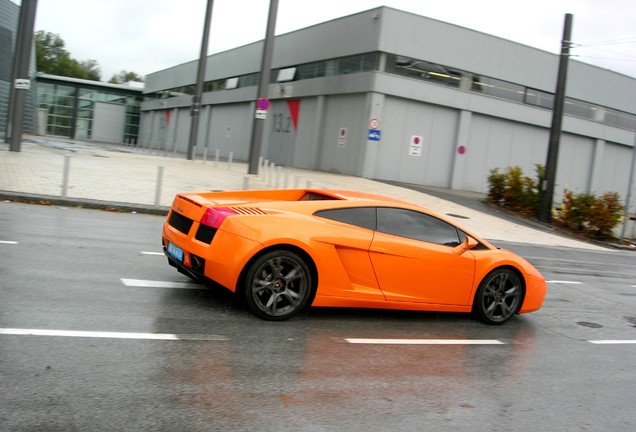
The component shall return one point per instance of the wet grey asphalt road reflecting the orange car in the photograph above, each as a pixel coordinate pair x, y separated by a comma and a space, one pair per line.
97, 332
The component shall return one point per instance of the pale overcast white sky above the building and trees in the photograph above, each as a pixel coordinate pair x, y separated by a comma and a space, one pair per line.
146, 36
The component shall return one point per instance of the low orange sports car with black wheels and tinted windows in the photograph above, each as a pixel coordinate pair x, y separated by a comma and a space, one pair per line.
285, 250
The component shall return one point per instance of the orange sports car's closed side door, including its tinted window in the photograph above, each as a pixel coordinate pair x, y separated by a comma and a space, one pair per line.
414, 258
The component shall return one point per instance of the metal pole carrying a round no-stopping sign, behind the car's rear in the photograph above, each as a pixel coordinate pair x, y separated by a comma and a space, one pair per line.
263, 86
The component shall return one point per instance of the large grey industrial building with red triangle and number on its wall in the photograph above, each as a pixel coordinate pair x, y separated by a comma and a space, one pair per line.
391, 95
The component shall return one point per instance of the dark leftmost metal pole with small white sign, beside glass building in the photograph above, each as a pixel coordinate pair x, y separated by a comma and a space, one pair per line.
20, 82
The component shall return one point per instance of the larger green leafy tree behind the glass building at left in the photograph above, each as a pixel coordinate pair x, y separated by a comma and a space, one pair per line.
52, 58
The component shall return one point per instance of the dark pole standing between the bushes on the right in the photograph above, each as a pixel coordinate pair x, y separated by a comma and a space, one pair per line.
547, 188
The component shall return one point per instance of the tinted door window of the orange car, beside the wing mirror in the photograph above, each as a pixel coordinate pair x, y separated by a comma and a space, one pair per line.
418, 226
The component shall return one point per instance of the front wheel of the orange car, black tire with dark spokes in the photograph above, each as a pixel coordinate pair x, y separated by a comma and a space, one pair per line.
498, 297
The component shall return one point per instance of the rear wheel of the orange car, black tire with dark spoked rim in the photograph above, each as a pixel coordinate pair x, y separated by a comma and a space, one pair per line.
278, 285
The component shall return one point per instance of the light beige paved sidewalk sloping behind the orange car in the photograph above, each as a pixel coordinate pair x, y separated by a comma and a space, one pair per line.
138, 179
